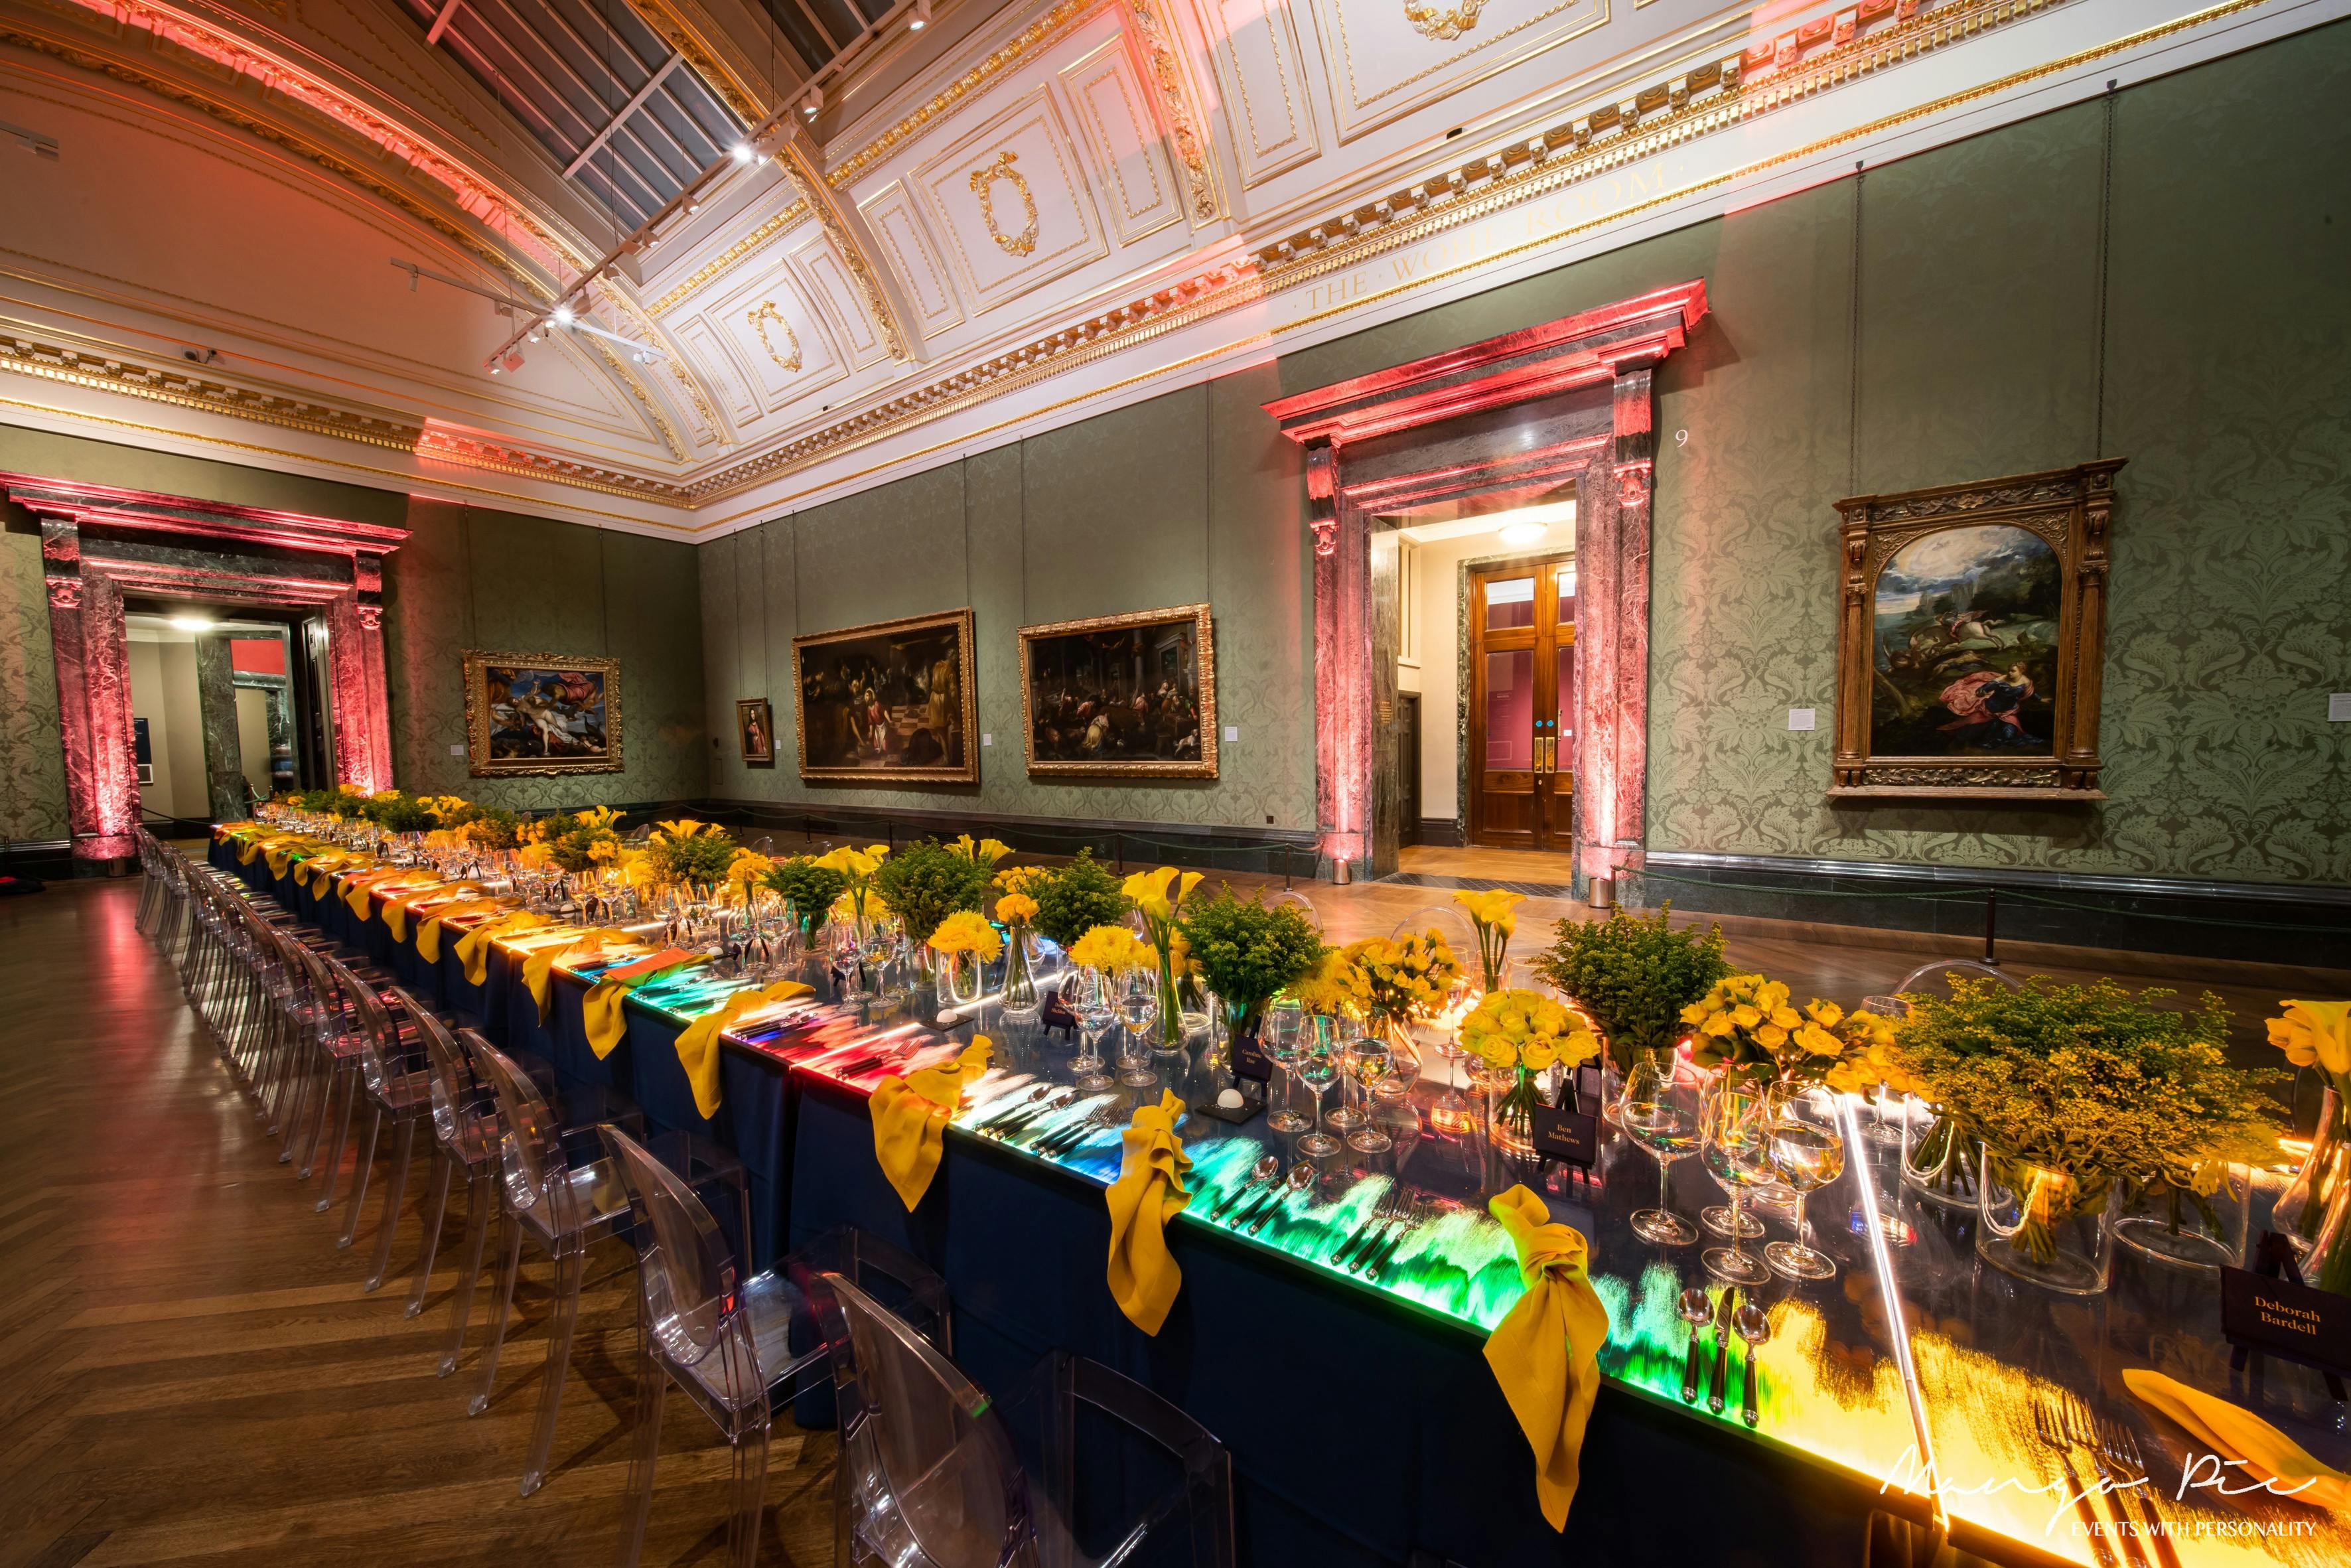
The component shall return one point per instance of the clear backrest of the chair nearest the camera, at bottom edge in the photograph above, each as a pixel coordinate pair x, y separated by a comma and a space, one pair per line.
927, 1470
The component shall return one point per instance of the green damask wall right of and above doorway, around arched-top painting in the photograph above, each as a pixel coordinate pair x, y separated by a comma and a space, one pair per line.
2228, 384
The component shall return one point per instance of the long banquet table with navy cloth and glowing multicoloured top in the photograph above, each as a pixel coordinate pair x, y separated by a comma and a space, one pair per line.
1362, 1416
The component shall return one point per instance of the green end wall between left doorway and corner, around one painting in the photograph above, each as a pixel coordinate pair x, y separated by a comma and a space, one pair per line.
478, 579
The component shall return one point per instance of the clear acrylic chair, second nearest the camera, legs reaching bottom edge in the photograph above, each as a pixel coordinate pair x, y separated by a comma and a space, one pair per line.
735, 1346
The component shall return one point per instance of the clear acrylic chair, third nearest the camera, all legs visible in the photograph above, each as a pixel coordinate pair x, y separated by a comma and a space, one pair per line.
563, 1207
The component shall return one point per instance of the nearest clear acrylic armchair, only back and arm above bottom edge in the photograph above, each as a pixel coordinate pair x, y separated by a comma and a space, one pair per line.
937, 1475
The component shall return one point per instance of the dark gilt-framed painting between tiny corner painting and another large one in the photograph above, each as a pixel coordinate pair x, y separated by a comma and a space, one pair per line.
890, 702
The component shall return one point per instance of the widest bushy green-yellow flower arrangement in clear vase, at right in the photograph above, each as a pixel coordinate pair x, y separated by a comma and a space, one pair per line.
2077, 1092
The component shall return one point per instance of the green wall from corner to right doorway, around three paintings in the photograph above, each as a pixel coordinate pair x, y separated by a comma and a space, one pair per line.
1172, 502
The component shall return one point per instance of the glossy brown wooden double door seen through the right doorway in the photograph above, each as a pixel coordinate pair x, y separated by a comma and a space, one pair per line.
1522, 704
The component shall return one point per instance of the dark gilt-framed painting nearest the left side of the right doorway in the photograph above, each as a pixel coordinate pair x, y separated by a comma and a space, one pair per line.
1123, 695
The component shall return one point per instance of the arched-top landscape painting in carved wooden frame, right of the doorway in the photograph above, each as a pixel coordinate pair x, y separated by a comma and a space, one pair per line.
1971, 641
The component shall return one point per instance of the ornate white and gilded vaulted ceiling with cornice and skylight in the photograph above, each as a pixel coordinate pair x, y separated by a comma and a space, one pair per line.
998, 222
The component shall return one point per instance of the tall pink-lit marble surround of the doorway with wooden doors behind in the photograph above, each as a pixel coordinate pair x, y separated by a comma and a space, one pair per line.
1555, 406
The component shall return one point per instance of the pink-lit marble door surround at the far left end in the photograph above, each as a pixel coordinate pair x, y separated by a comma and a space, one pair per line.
100, 542
